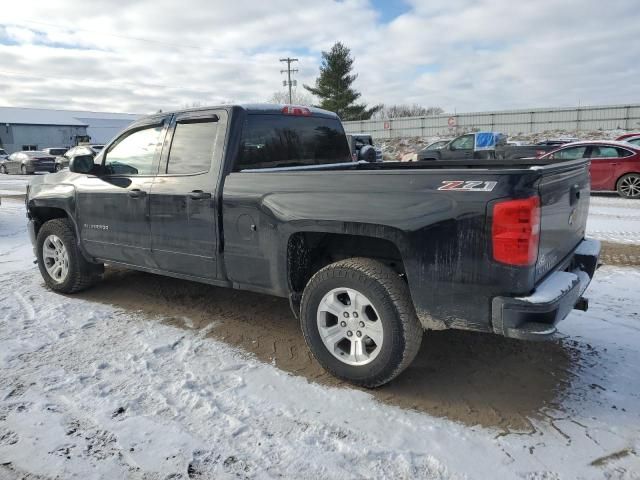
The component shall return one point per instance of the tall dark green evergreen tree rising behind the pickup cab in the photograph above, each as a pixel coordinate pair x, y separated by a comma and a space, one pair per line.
333, 86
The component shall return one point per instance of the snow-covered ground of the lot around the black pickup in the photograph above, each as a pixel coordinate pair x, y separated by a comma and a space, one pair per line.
93, 390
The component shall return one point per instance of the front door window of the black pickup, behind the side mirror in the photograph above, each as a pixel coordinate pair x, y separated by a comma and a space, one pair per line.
134, 154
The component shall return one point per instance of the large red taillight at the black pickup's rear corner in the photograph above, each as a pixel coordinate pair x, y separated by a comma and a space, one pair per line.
515, 232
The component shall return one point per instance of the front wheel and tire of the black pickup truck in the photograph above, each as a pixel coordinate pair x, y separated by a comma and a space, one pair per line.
57, 240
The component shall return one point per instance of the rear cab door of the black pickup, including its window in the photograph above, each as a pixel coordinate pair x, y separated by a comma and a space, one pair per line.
184, 197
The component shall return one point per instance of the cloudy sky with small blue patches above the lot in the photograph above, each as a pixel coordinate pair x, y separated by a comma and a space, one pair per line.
462, 55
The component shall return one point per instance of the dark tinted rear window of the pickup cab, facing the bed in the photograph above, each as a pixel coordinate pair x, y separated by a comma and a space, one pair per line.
288, 141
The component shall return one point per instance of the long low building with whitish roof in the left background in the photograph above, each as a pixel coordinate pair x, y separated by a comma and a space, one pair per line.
37, 128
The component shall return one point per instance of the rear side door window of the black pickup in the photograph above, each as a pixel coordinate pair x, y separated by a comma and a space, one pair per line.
192, 147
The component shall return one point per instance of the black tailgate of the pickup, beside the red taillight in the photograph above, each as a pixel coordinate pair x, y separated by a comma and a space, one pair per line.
564, 202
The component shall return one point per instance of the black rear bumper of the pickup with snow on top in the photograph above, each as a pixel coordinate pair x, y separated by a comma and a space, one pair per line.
535, 317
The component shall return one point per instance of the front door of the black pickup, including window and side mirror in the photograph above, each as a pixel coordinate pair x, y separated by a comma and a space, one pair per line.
113, 205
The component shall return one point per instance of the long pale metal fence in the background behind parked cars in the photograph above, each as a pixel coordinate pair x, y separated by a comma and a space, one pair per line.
607, 117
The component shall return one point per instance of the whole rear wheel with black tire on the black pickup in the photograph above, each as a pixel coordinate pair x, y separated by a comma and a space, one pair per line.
386, 317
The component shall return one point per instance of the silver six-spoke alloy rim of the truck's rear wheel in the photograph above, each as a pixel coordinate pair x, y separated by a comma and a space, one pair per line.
349, 326
